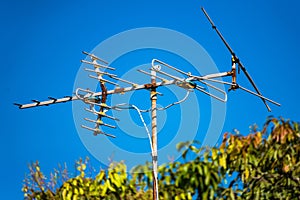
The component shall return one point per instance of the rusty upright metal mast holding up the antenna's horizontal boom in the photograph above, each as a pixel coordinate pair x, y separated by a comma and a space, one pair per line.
153, 96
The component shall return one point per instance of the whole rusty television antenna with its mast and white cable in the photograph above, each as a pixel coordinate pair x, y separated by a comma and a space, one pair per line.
96, 100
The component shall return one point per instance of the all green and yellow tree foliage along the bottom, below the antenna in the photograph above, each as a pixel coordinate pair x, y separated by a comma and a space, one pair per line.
264, 164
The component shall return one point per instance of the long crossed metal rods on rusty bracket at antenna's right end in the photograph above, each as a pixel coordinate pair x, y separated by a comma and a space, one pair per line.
236, 60
